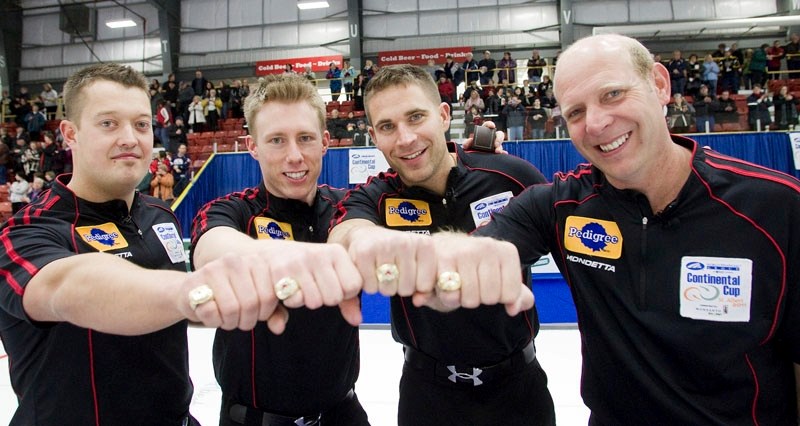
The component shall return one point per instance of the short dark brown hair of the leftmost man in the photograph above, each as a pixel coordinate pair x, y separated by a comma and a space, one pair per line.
78, 82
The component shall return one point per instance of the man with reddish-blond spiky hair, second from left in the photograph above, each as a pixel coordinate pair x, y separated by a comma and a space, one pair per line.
308, 372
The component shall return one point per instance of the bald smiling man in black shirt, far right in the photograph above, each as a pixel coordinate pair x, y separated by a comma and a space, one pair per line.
682, 262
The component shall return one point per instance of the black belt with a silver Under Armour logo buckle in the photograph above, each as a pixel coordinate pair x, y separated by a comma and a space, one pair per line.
475, 376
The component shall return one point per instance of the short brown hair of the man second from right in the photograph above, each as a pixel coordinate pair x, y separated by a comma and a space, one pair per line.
401, 75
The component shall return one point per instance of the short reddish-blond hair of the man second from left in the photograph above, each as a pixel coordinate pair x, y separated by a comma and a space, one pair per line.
282, 88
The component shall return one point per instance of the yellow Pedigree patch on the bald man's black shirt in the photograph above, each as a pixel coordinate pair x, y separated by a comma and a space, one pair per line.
593, 237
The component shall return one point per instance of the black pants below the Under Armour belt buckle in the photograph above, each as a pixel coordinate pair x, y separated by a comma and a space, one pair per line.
520, 399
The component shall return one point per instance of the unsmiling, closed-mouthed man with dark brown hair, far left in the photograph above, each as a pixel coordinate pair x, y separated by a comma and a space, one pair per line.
94, 294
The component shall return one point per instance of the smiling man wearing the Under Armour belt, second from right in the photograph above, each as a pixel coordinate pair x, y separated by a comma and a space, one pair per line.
469, 359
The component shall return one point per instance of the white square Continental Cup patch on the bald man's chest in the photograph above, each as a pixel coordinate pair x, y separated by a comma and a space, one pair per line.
716, 288
